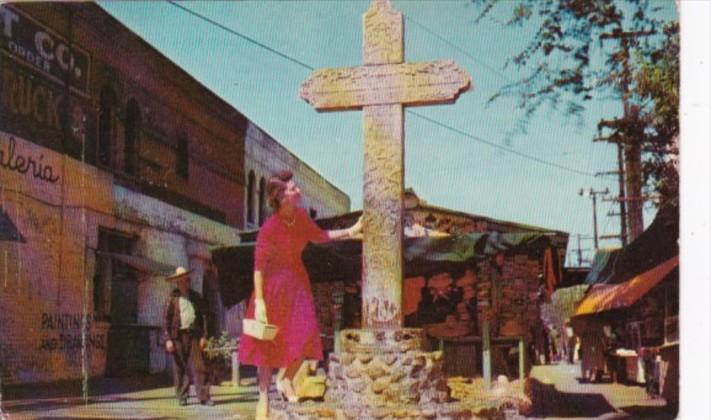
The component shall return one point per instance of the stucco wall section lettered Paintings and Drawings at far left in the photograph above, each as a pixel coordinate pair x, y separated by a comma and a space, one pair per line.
43, 279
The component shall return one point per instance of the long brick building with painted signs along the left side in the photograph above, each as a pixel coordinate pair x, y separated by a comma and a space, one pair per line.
116, 166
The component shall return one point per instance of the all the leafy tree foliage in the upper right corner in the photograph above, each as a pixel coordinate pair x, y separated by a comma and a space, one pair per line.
588, 49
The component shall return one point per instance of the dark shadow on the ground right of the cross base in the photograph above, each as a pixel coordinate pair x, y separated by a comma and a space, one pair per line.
549, 402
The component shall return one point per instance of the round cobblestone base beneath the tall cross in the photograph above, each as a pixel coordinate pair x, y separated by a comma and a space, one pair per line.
381, 373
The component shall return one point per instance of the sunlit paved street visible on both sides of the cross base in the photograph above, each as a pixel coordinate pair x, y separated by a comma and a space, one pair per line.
556, 394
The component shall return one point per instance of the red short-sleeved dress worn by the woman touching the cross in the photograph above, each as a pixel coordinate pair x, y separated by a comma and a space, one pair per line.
287, 294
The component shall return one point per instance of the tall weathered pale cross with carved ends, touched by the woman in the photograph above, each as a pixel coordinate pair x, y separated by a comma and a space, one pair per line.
381, 88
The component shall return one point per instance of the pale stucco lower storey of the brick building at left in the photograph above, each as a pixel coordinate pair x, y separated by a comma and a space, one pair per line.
46, 282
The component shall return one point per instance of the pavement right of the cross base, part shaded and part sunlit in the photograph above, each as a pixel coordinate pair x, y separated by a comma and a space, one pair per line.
558, 393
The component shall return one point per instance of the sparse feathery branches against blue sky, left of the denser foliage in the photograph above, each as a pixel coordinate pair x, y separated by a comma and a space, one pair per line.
557, 63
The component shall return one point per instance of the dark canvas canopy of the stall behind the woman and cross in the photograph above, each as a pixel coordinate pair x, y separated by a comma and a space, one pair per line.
341, 260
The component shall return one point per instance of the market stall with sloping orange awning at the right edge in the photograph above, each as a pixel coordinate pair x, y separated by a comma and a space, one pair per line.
628, 321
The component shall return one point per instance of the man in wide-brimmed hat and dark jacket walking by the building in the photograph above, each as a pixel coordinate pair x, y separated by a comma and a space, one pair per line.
186, 336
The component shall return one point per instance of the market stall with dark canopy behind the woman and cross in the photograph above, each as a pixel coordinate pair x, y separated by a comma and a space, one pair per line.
475, 294
